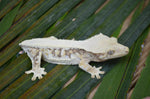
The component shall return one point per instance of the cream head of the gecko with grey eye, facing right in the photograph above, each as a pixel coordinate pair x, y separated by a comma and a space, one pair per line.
114, 50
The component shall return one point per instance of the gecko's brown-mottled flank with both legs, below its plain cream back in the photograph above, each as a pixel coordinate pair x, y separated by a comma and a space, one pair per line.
60, 55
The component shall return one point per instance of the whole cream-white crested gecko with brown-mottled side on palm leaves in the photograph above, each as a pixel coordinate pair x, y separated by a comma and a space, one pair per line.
70, 52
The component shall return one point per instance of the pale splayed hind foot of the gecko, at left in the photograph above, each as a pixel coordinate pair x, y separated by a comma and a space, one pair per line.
37, 73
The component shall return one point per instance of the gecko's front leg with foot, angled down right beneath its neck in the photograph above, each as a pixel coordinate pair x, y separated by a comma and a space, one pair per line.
84, 64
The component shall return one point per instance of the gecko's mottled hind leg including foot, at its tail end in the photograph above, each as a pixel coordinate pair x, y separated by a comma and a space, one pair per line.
35, 56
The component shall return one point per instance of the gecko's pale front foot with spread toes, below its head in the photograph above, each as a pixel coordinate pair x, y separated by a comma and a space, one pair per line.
95, 72
